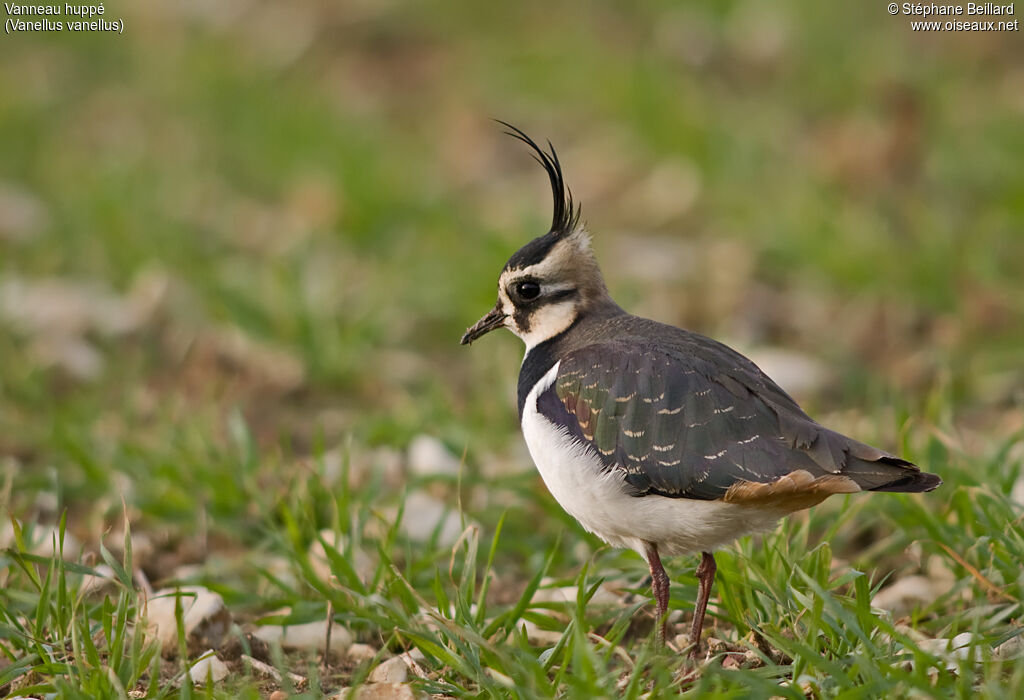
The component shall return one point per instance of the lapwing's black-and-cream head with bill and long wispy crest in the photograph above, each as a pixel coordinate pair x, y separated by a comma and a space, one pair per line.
550, 282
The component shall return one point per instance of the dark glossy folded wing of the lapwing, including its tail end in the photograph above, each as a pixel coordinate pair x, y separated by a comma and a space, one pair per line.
699, 422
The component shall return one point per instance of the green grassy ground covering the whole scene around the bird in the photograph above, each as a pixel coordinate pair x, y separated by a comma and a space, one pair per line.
327, 186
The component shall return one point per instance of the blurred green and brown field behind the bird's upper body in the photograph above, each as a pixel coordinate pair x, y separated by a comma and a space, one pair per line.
243, 234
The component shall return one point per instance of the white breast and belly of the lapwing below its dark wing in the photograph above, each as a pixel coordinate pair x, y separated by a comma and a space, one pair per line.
574, 475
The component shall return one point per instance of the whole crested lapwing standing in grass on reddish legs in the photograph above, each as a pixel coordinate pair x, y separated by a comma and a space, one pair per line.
656, 439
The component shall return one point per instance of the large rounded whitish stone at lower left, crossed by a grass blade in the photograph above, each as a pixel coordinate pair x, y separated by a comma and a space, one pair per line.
205, 618
